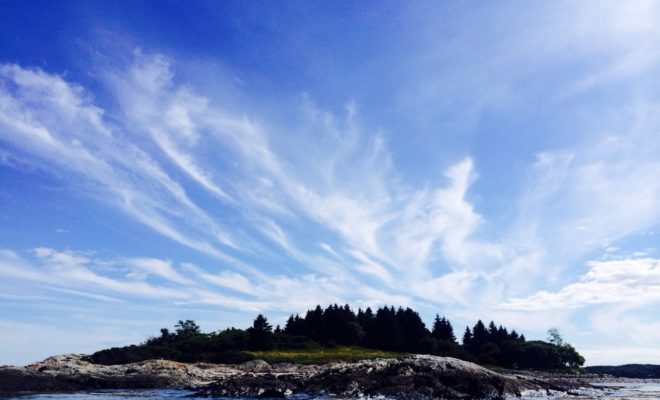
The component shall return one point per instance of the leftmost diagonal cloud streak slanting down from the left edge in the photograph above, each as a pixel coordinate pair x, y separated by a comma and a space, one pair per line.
55, 124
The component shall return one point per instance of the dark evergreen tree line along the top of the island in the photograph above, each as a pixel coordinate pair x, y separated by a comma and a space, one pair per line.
388, 328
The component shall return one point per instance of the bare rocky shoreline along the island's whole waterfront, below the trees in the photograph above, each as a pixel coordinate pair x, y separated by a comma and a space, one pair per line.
419, 376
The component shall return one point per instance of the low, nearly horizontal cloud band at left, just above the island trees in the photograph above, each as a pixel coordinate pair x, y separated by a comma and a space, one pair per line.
83, 274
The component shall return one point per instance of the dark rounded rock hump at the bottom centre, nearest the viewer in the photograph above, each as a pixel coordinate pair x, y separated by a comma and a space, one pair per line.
412, 376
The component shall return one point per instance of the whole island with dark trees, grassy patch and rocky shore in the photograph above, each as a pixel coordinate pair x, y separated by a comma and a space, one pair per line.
332, 351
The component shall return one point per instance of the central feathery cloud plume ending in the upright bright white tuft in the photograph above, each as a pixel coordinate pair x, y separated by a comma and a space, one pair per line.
352, 191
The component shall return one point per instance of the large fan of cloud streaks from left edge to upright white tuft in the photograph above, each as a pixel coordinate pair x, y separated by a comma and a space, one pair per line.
358, 212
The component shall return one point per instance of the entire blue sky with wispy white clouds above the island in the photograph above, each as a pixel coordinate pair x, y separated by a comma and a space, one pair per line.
212, 160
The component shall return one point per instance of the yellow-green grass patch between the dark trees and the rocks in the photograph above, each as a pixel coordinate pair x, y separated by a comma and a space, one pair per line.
321, 355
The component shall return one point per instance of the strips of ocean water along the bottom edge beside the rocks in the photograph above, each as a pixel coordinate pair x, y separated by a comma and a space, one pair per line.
618, 391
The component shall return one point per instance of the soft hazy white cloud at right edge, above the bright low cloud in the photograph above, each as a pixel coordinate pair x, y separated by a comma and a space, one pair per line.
582, 198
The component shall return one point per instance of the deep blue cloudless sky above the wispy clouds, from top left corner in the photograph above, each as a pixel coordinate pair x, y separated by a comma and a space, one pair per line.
340, 49
